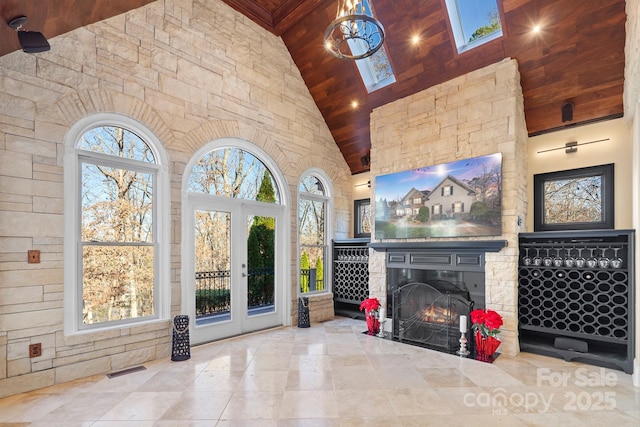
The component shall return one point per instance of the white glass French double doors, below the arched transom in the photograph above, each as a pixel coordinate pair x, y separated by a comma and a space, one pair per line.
235, 269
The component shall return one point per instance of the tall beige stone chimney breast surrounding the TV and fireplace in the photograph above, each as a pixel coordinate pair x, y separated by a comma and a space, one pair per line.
473, 115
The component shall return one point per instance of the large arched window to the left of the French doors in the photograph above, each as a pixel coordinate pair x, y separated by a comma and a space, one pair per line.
113, 227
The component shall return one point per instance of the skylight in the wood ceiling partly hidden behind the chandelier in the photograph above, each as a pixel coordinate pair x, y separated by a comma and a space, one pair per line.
375, 70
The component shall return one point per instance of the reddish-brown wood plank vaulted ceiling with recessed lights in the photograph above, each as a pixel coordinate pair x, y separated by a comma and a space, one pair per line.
577, 57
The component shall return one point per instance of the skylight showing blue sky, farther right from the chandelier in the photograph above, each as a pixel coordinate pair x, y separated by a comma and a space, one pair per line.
474, 22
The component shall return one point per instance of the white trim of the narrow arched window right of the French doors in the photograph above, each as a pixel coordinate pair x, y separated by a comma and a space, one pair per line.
327, 198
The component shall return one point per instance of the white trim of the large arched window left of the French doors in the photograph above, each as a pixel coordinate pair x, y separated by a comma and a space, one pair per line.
72, 220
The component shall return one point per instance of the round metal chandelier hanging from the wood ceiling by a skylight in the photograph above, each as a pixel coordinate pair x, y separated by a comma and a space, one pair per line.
355, 33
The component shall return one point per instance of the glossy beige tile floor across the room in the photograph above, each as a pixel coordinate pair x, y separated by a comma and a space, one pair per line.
334, 375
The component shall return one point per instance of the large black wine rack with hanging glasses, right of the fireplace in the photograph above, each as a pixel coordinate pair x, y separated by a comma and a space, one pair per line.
576, 296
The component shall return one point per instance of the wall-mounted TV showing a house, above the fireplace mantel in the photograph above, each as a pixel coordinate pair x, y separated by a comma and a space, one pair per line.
456, 199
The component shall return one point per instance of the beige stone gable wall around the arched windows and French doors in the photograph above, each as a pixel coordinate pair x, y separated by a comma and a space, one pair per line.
192, 71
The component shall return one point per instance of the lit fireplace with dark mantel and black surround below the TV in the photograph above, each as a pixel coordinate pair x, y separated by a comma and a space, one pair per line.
430, 285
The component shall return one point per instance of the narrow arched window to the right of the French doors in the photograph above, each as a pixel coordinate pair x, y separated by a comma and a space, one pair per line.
313, 232
